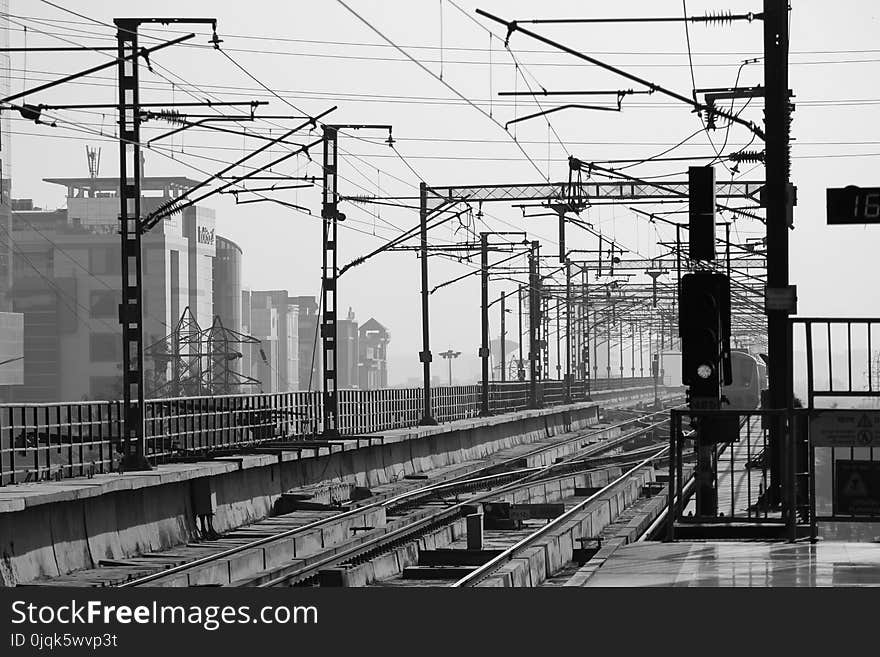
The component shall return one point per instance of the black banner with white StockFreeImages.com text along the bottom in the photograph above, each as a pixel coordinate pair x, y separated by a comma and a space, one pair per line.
250, 622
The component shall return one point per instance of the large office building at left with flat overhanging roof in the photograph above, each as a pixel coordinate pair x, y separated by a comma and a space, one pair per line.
67, 280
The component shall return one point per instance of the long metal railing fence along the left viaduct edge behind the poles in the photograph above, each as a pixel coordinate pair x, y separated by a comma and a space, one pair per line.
61, 440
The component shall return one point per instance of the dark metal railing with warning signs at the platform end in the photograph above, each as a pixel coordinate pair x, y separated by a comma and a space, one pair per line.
828, 458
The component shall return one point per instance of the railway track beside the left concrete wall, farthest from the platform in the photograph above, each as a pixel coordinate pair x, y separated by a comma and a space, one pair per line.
294, 548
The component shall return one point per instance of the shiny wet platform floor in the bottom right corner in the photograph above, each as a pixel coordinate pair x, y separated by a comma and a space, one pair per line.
727, 564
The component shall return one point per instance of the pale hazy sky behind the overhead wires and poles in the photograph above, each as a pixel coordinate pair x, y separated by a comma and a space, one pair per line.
317, 54
